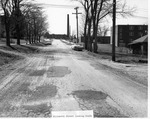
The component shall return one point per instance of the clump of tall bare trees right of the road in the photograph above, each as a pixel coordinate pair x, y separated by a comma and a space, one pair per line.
95, 11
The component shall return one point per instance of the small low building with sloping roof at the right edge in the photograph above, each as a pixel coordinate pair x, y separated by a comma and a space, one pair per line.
140, 45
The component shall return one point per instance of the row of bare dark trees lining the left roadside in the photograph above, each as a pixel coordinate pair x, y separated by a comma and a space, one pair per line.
23, 16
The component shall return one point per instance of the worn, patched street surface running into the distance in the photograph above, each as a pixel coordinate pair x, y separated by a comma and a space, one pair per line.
60, 79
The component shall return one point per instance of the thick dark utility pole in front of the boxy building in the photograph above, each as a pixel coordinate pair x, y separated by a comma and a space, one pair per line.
114, 30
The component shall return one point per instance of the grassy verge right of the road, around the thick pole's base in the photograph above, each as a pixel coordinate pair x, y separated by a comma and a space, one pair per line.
122, 55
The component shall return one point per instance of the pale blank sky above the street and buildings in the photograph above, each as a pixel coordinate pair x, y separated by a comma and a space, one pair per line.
57, 10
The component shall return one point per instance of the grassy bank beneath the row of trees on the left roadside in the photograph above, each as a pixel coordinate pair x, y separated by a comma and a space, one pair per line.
9, 54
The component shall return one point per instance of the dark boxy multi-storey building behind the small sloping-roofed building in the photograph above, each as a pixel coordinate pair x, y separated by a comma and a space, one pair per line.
125, 34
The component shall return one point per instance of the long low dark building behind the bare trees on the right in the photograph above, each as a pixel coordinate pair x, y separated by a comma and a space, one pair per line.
100, 39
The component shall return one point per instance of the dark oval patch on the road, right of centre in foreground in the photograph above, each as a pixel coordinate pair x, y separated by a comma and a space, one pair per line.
90, 95
